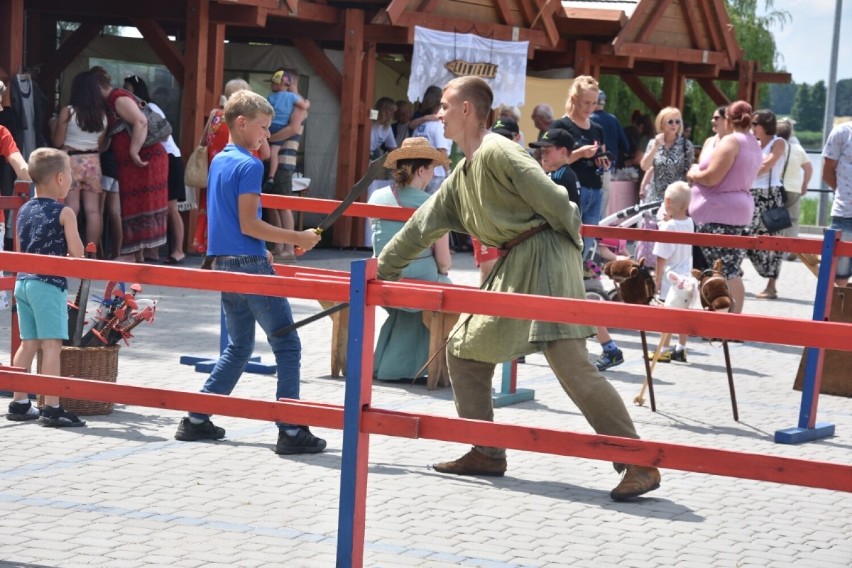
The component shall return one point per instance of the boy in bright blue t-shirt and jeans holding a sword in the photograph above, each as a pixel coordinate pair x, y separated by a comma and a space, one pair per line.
236, 243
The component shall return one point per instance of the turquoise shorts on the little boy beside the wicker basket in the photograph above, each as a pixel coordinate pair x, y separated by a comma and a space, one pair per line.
42, 310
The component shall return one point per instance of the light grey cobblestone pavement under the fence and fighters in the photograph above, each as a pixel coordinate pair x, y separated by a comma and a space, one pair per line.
123, 493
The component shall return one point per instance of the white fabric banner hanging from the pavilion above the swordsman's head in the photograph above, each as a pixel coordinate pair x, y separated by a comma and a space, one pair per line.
432, 49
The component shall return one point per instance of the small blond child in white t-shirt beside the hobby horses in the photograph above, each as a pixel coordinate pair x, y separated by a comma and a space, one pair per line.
672, 257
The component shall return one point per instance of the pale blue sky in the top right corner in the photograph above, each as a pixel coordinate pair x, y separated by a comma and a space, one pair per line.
805, 40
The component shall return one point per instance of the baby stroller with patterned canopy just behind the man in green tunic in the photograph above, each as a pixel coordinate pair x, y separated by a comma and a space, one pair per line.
607, 249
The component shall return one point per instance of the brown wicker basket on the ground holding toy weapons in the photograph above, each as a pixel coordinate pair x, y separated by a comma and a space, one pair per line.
94, 363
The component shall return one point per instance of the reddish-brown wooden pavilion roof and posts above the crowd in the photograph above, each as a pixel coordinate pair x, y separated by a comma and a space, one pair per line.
673, 39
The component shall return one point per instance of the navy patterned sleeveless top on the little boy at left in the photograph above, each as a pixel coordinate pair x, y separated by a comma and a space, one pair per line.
39, 232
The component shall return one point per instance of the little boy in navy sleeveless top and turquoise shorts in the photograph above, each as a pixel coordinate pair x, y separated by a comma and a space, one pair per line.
47, 227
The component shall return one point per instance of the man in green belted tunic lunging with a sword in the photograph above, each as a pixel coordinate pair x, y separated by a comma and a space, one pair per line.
499, 194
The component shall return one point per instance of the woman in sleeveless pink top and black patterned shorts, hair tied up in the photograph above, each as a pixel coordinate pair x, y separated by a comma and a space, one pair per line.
721, 194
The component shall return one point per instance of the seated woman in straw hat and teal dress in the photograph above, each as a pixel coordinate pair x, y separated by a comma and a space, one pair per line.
403, 345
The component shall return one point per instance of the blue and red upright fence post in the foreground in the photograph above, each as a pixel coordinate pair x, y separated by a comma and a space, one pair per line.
358, 395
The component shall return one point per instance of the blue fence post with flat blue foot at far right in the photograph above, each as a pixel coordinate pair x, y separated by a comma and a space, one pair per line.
808, 428
